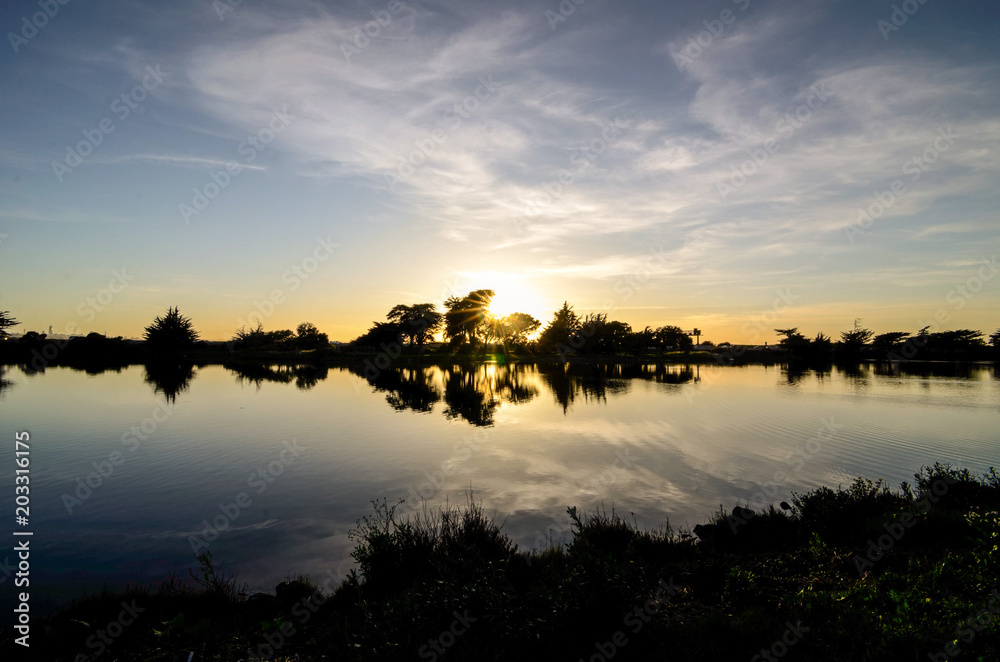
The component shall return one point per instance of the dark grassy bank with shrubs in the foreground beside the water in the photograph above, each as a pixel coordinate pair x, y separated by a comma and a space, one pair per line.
858, 573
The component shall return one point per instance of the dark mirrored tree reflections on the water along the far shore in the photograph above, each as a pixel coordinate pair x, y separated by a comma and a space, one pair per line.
475, 393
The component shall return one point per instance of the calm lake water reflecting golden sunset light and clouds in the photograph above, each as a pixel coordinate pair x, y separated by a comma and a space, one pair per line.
664, 444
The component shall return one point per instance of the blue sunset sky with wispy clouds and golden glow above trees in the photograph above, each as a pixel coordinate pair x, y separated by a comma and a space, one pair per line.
733, 166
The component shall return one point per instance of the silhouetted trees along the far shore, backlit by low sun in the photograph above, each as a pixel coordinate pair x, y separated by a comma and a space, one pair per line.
467, 324
